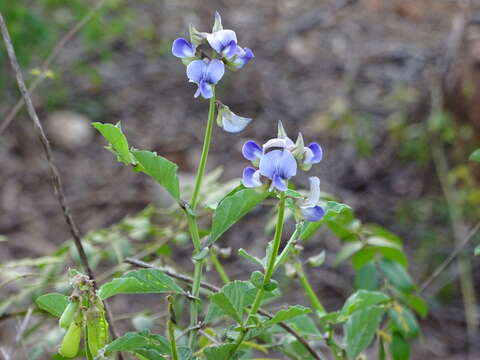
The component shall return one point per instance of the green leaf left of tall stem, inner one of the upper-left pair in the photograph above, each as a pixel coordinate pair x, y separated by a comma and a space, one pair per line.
161, 170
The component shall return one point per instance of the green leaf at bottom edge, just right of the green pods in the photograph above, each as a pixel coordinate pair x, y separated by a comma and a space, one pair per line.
144, 343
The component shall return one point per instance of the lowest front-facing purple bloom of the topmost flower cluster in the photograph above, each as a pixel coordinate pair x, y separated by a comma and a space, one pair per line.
205, 74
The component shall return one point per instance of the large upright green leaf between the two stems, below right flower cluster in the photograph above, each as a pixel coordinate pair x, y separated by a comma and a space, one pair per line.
232, 208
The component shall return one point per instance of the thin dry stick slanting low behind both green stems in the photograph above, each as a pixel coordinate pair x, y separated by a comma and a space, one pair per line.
213, 288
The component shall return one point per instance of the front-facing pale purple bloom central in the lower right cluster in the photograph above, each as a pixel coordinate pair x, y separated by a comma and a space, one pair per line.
278, 166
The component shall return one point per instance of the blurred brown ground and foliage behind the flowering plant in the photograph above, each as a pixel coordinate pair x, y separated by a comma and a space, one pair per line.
388, 87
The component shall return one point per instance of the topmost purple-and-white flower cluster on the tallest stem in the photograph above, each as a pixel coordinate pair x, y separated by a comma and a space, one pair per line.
207, 71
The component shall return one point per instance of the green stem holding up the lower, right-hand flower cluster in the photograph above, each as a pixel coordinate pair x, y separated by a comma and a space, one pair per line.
268, 273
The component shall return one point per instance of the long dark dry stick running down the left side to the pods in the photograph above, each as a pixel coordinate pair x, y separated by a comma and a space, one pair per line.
57, 182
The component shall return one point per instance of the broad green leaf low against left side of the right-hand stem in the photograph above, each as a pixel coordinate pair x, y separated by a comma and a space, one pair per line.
231, 299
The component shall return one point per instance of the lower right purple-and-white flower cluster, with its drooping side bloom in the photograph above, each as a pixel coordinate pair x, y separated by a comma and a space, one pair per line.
277, 161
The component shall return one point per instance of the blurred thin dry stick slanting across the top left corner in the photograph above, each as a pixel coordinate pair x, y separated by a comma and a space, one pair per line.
47, 62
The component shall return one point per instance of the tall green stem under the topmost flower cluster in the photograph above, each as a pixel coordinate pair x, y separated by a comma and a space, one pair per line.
193, 226
